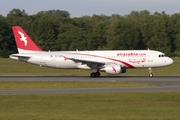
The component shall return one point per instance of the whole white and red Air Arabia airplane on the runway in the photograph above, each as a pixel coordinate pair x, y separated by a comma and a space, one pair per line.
109, 61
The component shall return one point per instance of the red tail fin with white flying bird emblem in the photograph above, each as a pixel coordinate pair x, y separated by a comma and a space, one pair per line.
23, 41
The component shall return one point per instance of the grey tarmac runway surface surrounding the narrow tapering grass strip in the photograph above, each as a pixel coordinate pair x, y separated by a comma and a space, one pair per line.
164, 83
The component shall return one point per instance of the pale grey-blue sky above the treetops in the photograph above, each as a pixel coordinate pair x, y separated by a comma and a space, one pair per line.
79, 8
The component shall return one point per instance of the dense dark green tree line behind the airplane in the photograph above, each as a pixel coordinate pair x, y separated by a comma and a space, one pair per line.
54, 30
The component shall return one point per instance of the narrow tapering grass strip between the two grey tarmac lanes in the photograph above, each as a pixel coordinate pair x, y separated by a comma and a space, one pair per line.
41, 85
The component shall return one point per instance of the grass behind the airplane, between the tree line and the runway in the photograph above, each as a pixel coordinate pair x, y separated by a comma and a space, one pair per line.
13, 67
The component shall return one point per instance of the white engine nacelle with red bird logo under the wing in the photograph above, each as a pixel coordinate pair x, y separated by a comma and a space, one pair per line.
113, 69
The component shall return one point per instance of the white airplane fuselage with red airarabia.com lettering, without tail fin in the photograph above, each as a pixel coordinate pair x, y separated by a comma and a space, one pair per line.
125, 58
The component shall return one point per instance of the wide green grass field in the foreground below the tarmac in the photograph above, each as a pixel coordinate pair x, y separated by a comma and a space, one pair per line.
91, 106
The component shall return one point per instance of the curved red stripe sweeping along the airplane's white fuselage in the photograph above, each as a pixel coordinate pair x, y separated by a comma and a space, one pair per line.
127, 64
